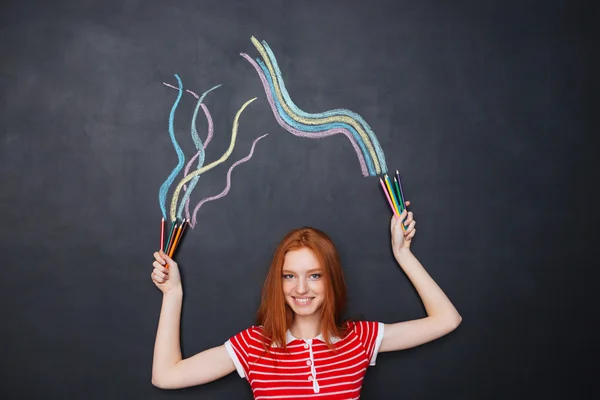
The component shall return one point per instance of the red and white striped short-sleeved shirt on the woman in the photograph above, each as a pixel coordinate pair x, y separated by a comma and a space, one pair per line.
309, 369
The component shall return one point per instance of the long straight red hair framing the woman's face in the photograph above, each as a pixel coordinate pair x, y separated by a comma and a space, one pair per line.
274, 314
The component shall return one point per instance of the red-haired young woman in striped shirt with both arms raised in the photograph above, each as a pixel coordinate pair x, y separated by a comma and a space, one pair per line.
300, 348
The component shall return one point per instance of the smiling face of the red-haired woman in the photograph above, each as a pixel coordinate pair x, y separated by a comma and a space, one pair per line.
303, 282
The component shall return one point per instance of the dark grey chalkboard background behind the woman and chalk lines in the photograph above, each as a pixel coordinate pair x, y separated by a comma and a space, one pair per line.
484, 107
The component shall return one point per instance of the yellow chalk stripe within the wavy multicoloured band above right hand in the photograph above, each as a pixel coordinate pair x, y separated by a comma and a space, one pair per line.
315, 121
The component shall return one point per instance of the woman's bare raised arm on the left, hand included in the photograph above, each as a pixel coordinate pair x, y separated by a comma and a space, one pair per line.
169, 370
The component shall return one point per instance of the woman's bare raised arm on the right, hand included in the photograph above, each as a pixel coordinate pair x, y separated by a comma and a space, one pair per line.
442, 317
